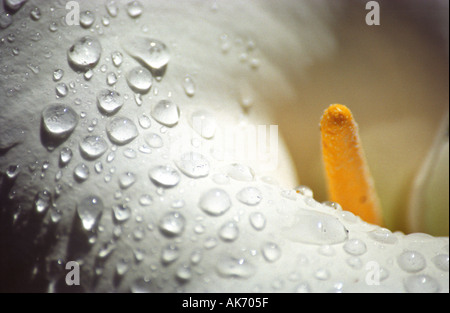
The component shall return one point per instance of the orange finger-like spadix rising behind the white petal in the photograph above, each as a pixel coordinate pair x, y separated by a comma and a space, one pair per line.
349, 181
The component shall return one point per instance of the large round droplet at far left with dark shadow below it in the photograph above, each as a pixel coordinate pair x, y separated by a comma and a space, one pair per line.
59, 121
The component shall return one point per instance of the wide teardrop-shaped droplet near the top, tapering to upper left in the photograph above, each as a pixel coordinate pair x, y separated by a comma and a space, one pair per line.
151, 52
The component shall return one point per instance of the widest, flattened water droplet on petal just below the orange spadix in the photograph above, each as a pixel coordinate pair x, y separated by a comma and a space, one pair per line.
315, 228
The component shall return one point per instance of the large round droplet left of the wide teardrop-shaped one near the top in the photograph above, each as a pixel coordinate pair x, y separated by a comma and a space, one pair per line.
84, 53
